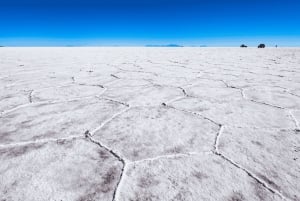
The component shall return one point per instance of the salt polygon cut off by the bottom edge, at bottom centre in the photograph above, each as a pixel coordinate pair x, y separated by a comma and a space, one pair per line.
199, 177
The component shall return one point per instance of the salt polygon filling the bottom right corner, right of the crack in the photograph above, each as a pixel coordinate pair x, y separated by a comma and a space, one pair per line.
269, 154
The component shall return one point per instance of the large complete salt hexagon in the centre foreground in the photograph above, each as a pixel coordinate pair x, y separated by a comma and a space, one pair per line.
149, 132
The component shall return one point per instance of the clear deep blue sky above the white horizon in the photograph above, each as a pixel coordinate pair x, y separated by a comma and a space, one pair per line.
141, 22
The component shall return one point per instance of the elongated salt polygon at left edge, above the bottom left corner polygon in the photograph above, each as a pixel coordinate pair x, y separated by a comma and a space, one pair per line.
55, 120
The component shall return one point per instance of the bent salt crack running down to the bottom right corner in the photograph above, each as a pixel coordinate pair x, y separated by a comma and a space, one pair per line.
248, 172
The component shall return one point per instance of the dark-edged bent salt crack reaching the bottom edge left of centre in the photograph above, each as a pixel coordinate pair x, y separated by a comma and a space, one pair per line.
112, 152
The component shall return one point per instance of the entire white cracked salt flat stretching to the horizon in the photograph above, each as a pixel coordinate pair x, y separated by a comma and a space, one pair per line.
149, 124
